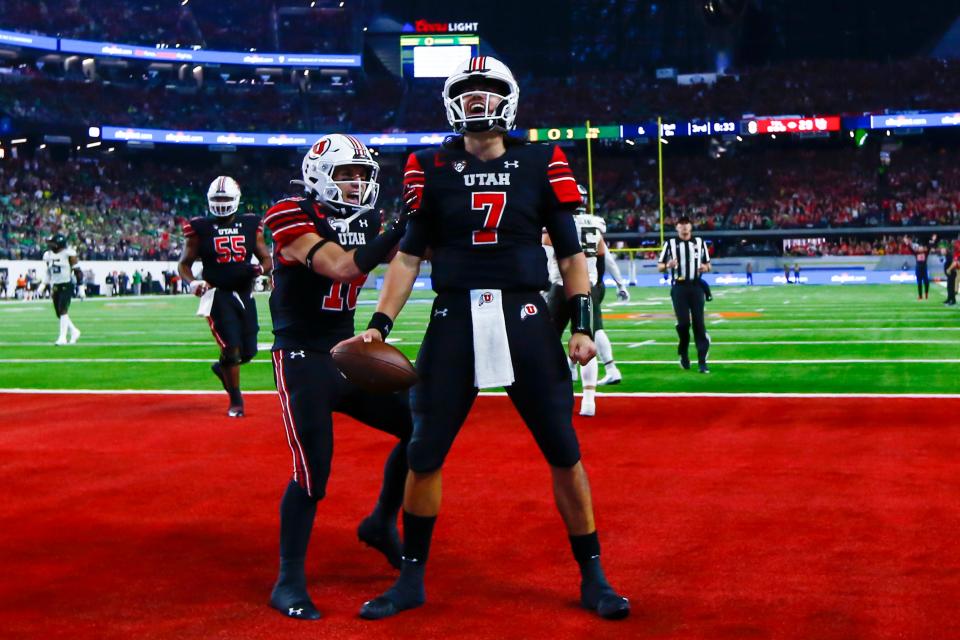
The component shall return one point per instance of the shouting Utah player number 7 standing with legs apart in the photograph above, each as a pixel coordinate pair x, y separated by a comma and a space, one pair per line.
479, 203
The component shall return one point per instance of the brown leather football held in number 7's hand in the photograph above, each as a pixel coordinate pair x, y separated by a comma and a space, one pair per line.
375, 366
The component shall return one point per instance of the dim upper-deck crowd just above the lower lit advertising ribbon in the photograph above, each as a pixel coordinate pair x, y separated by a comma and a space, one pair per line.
380, 102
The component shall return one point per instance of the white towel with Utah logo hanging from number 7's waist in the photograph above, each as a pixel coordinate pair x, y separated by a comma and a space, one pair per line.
491, 349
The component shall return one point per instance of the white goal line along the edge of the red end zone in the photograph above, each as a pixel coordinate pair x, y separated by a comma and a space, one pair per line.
678, 394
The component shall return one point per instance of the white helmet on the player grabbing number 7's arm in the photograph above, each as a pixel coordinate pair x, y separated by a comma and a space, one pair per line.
321, 162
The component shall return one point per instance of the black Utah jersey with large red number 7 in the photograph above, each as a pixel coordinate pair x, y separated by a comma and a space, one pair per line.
482, 220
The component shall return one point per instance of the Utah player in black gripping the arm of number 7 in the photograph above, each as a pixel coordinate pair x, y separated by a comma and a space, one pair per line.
326, 242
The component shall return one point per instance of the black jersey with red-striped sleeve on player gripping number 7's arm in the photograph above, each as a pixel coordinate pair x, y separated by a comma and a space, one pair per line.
311, 311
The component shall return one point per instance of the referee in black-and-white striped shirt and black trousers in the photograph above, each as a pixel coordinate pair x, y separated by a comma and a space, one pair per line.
687, 259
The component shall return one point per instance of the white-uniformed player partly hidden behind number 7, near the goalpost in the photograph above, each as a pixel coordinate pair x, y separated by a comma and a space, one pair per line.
590, 229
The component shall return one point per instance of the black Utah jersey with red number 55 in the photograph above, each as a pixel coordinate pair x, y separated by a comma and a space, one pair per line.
226, 249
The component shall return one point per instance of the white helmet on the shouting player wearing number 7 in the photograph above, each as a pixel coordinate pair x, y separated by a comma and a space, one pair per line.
498, 118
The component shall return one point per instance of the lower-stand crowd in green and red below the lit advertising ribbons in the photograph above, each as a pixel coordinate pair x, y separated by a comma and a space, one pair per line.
110, 216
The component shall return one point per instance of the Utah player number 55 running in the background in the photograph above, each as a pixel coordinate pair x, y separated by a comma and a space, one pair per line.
225, 243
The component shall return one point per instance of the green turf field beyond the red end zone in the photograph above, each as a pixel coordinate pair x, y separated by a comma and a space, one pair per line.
788, 339
